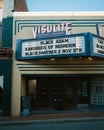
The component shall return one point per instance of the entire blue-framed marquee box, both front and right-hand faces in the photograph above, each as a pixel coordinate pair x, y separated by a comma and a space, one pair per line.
85, 44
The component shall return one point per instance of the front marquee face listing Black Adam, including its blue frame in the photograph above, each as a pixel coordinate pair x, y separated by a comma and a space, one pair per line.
61, 46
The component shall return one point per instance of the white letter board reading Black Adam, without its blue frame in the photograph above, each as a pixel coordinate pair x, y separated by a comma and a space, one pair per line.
55, 46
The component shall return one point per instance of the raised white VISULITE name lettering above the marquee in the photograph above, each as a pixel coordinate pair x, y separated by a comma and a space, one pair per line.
51, 30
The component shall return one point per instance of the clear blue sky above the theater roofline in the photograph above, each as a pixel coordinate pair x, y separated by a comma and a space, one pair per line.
65, 5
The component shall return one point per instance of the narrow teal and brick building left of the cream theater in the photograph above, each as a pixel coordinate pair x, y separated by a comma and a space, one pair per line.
7, 7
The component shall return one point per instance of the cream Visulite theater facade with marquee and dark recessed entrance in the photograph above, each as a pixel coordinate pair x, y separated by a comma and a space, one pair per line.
58, 55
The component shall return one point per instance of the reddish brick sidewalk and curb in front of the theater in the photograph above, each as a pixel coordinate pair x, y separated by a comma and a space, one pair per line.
57, 117
